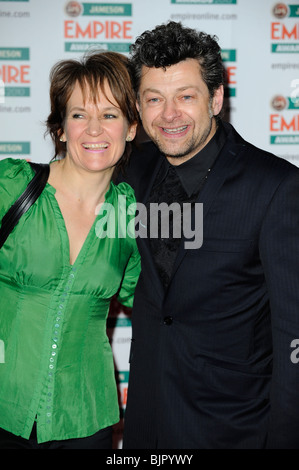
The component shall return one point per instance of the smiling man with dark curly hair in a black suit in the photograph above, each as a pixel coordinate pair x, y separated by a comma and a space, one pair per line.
212, 325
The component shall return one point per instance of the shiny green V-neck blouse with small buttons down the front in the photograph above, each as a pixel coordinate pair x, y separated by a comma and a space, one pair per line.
57, 364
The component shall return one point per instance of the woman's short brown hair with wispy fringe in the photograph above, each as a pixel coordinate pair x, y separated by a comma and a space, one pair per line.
90, 72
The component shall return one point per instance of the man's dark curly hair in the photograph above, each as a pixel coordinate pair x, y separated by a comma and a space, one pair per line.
171, 43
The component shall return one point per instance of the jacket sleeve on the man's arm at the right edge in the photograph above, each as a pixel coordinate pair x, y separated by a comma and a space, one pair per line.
279, 251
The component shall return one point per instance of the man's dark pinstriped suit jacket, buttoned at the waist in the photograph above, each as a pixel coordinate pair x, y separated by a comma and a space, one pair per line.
210, 361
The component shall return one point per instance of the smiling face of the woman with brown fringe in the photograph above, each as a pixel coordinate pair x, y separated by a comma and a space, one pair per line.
95, 133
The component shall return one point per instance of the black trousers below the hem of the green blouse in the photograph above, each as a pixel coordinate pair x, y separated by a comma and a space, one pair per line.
100, 440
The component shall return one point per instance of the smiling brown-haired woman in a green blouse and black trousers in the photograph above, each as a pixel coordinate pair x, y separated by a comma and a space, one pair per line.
57, 275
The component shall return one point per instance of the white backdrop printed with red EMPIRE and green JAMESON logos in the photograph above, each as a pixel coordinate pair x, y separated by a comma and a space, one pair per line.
260, 49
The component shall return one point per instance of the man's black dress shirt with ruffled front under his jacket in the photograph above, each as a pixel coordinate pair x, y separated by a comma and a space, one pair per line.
180, 184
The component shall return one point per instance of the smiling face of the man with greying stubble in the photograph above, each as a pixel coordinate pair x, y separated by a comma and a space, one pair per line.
176, 109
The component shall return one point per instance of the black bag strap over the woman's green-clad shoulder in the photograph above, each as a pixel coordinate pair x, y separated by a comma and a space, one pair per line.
25, 201
